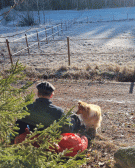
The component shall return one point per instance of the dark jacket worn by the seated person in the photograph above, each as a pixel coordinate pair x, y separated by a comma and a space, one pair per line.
41, 111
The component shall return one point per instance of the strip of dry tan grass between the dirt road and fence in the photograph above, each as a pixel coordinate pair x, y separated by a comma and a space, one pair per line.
90, 71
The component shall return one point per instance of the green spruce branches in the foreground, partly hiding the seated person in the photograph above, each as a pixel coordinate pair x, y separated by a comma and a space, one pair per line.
13, 97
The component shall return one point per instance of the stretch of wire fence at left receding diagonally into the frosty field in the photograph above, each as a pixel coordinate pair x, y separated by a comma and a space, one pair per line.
23, 46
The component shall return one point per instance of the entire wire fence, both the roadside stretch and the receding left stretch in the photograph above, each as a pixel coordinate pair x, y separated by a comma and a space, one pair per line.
47, 48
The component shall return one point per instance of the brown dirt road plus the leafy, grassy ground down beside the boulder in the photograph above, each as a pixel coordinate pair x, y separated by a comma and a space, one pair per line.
118, 112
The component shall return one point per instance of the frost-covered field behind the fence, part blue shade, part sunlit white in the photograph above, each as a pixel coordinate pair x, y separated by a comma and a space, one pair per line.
107, 37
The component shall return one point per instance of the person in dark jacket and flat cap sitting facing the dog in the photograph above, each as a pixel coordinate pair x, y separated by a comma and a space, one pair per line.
44, 112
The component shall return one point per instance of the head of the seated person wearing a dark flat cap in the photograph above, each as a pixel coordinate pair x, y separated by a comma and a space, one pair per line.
45, 90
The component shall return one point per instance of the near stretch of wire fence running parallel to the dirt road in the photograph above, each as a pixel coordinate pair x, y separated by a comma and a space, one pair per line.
66, 52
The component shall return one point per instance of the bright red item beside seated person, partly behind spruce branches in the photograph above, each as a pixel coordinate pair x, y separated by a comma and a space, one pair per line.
77, 142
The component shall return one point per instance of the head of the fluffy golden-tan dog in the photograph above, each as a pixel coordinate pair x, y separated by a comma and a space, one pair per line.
83, 109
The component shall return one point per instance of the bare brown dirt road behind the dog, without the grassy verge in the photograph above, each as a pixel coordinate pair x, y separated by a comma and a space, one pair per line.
118, 106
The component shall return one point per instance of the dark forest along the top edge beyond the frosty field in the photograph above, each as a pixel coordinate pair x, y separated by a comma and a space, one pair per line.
67, 4
